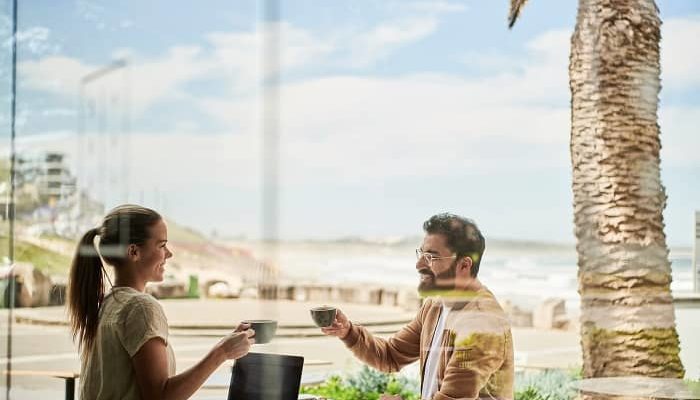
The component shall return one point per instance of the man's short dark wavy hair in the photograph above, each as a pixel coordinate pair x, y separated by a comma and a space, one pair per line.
463, 236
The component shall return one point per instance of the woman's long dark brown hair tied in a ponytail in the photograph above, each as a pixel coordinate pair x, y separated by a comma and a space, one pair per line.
125, 225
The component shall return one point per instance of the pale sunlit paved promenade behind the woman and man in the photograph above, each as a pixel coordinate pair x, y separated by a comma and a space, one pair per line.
41, 340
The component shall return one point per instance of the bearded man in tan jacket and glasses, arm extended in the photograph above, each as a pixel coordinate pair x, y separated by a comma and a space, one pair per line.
460, 335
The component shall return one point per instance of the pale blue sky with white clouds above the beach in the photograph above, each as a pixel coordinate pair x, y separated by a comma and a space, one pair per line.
390, 111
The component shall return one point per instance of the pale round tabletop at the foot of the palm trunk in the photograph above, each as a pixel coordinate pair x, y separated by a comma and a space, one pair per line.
637, 386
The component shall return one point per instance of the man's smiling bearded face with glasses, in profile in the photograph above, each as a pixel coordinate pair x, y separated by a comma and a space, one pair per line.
441, 273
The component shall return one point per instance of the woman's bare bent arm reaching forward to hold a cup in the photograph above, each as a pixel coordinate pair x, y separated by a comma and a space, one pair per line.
151, 366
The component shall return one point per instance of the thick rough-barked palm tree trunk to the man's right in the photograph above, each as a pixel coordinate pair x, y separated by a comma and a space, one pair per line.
627, 316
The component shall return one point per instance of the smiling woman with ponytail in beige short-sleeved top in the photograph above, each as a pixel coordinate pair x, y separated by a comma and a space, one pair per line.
123, 335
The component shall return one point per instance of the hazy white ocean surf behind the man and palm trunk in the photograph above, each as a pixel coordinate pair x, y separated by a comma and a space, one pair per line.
523, 273
